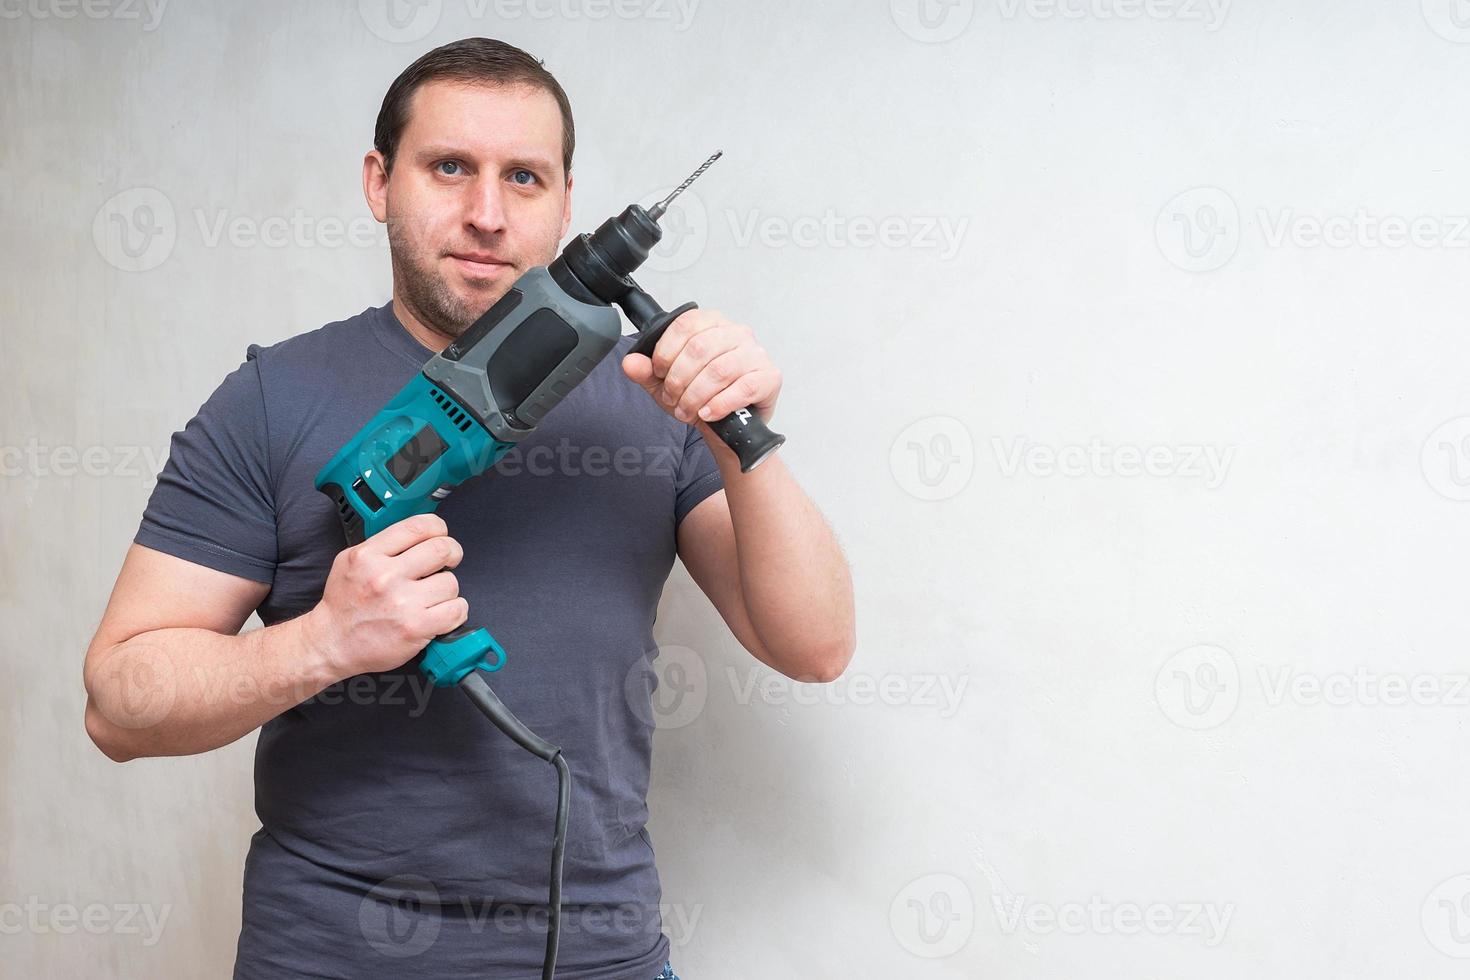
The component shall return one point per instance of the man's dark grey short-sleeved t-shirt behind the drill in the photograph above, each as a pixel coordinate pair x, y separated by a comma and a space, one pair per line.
402, 834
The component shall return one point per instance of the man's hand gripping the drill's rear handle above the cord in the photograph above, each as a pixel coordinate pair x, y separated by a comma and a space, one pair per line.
389, 597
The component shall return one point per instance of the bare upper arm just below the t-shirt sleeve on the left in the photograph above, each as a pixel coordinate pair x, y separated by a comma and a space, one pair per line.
159, 591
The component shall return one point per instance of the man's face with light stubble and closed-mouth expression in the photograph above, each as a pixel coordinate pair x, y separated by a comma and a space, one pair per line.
477, 196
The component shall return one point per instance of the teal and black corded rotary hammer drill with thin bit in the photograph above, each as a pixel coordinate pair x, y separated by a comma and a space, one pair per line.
477, 400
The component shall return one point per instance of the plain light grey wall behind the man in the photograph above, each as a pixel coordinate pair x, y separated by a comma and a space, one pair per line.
1006, 253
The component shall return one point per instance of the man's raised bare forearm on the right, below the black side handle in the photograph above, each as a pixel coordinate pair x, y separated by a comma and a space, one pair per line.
795, 580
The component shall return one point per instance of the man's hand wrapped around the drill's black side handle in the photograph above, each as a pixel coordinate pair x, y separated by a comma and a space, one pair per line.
705, 368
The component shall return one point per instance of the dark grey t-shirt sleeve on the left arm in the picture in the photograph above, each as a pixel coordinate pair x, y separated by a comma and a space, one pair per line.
214, 503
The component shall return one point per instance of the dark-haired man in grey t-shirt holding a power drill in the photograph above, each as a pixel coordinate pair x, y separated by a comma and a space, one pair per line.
404, 835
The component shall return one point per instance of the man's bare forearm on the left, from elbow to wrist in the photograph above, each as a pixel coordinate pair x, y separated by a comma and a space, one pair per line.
186, 691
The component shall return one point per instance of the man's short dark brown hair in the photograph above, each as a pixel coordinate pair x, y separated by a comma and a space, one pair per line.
473, 60
